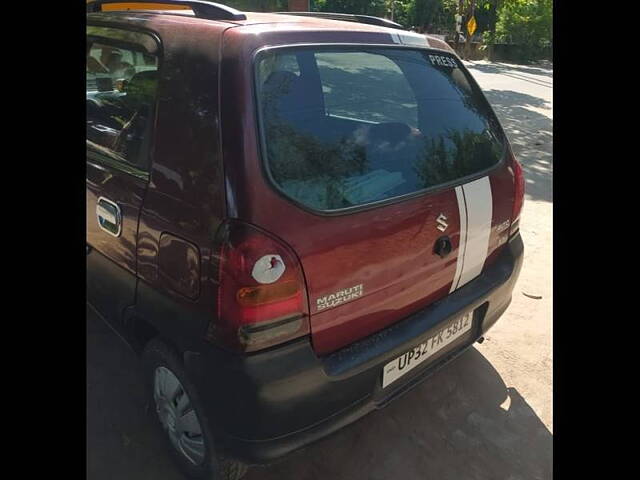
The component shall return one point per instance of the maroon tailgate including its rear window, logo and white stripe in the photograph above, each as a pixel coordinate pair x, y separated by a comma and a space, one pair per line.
400, 163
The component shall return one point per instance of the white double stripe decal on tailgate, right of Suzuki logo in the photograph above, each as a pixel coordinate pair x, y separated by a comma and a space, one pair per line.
475, 227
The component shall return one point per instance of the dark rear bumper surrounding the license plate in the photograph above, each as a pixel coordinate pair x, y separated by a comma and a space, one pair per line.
266, 405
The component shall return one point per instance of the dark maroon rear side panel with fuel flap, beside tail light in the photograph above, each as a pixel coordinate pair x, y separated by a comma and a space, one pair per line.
184, 200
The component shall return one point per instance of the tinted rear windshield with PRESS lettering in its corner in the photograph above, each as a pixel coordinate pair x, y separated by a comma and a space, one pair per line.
345, 126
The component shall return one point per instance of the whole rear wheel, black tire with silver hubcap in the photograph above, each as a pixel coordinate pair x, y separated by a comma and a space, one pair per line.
163, 366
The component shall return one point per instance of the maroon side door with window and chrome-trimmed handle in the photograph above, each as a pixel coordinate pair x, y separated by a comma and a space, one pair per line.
121, 83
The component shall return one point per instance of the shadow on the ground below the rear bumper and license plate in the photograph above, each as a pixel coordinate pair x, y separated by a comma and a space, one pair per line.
462, 423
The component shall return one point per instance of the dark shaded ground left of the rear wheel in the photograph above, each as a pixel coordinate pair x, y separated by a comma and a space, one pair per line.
122, 442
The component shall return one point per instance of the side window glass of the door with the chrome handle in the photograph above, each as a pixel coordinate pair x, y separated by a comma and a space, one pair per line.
122, 79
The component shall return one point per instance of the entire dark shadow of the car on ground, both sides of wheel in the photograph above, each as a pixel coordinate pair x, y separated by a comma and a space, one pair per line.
462, 423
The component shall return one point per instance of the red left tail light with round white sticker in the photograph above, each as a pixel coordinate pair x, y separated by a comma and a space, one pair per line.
262, 299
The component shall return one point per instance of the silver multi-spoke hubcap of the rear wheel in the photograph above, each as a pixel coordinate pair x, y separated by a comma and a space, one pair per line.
177, 416
